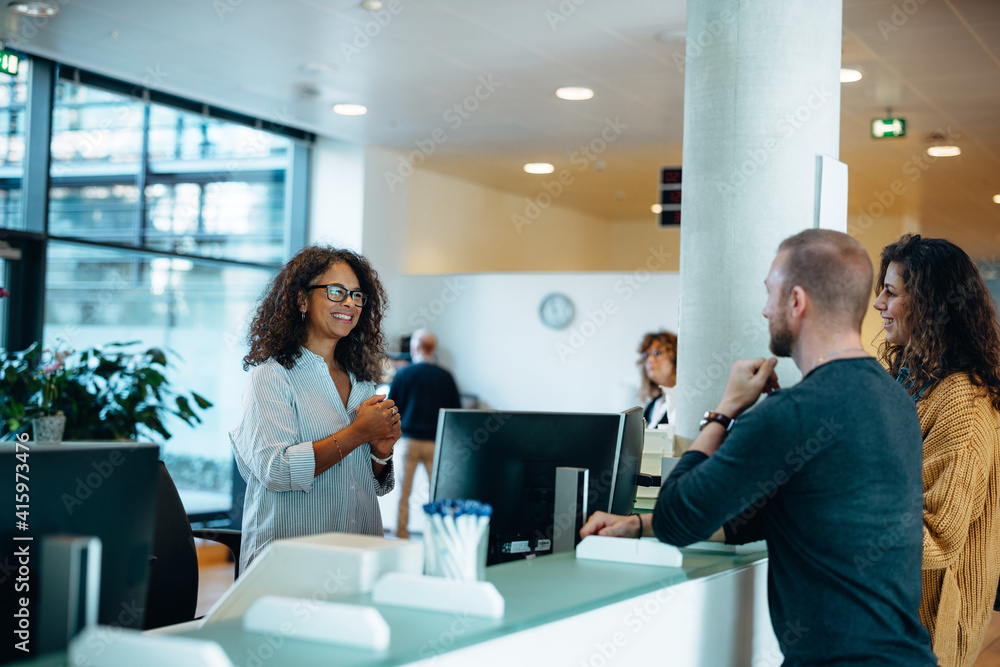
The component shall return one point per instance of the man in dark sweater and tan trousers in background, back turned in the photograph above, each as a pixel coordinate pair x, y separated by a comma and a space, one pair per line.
420, 390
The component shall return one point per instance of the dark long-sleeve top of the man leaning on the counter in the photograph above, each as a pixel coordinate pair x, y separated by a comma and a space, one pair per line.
829, 473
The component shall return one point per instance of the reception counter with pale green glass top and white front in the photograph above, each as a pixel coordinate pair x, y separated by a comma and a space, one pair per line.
564, 611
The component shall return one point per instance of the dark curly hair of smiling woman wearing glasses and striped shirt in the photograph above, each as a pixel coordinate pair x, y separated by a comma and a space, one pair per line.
278, 330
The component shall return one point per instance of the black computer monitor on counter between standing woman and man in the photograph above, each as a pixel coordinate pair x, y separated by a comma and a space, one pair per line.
509, 460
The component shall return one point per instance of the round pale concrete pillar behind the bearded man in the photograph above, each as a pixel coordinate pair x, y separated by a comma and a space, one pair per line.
761, 101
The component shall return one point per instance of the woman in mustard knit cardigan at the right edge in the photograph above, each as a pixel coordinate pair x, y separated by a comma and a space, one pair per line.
942, 343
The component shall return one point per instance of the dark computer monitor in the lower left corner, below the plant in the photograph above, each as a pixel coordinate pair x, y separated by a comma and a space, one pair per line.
107, 490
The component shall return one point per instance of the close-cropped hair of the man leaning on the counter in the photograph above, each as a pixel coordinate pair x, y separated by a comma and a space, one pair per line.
834, 270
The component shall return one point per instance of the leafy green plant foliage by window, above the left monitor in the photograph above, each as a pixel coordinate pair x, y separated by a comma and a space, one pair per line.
117, 391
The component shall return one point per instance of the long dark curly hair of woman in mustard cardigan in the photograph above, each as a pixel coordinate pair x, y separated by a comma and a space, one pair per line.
951, 317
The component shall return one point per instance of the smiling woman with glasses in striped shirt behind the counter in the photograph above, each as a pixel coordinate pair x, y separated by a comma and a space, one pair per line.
314, 442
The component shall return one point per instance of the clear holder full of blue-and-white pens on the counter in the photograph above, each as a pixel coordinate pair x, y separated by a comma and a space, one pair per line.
456, 540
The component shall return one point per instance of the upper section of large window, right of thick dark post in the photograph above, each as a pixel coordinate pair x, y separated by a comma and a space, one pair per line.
138, 173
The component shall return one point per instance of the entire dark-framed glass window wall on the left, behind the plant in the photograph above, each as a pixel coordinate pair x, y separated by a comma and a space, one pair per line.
164, 220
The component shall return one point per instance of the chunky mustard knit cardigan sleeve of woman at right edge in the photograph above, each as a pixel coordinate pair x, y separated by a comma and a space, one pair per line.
956, 469
